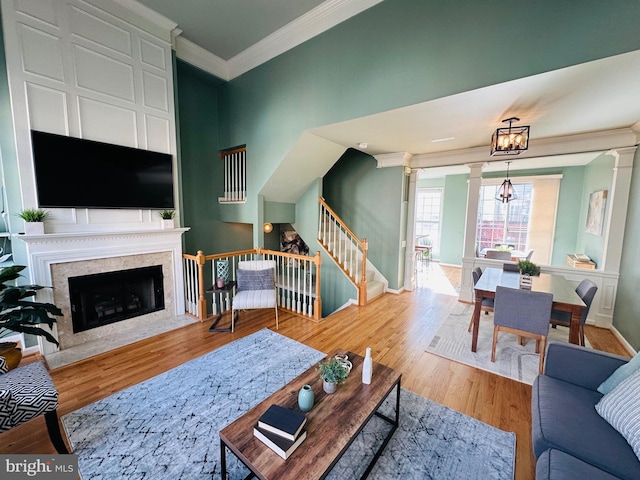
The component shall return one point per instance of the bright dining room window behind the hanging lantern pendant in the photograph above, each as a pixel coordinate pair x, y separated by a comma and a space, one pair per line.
504, 223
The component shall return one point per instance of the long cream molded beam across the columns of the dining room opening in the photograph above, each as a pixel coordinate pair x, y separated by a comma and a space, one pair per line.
545, 147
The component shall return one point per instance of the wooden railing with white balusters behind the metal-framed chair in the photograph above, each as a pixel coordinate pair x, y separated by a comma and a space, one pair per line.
297, 281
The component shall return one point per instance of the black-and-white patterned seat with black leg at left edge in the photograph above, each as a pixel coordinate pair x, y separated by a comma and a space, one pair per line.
25, 393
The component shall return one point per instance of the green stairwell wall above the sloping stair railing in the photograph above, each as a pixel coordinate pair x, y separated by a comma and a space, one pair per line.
369, 200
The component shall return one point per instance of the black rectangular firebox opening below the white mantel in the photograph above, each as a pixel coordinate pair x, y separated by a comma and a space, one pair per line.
110, 297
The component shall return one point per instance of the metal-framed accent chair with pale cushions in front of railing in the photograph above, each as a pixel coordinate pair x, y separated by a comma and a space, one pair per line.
256, 287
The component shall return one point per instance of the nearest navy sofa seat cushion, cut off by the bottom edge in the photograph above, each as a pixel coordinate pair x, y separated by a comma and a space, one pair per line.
556, 465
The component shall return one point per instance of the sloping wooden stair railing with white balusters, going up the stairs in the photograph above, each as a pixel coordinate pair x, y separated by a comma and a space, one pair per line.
344, 247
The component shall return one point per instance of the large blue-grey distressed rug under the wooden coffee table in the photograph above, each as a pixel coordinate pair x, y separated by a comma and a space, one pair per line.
167, 427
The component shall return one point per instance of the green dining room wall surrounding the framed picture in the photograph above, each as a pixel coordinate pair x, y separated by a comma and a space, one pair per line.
598, 175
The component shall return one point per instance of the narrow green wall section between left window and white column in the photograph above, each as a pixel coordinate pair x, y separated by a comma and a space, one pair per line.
454, 211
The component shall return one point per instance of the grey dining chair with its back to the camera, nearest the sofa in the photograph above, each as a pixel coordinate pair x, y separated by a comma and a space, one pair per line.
524, 313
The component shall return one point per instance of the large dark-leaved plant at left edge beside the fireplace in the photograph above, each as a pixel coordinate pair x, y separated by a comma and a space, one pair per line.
21, 315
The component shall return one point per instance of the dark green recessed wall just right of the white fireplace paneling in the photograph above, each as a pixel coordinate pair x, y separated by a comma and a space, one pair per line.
201, 168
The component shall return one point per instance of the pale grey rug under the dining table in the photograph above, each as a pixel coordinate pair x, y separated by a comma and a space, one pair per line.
513, 360
